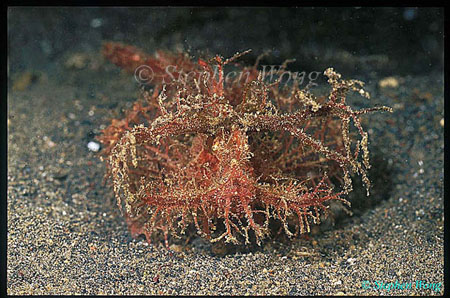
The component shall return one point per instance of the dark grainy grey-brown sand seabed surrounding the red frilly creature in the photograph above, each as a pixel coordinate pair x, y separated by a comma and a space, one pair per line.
66, 235
